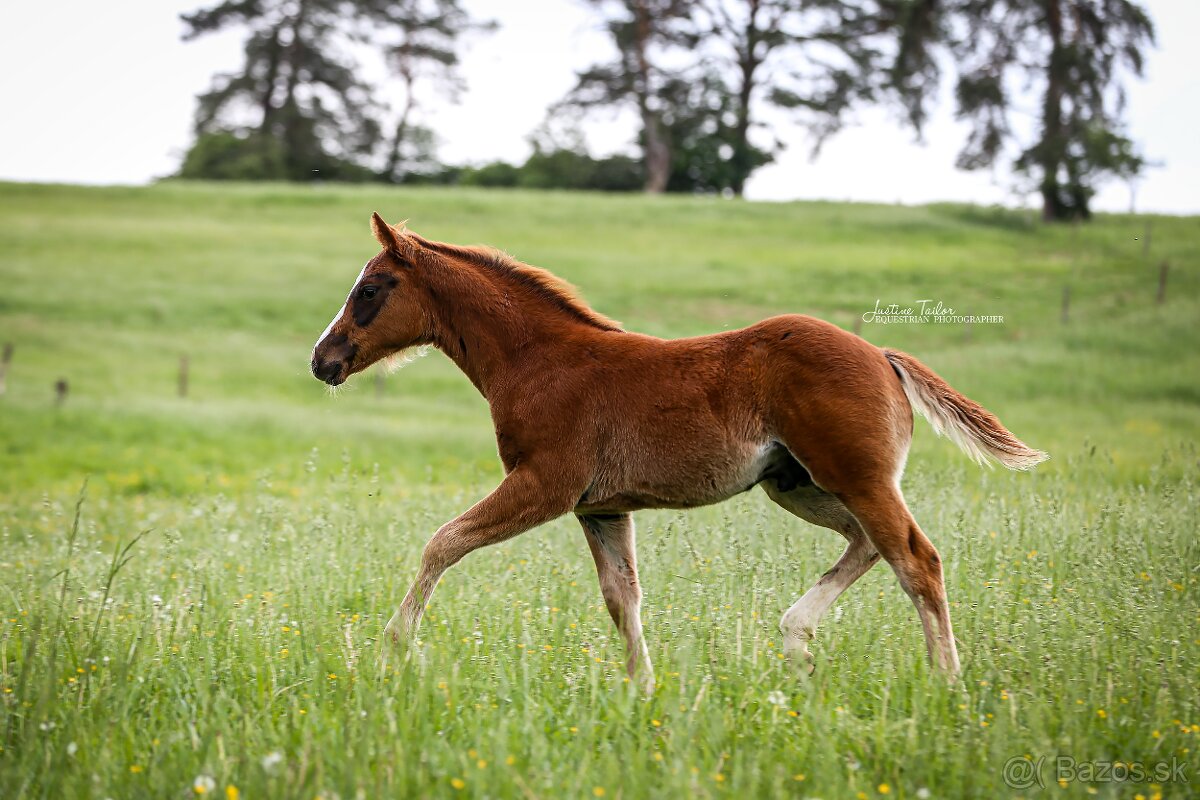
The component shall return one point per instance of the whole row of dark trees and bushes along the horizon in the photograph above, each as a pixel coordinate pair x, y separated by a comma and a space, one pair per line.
710, 83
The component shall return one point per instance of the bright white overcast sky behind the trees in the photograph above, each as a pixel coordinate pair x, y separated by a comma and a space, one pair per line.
104, 93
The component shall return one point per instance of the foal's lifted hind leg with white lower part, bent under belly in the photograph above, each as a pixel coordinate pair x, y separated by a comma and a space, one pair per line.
800, 623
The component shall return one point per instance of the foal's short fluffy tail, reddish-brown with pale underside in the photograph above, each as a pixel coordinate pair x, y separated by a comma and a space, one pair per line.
959, 419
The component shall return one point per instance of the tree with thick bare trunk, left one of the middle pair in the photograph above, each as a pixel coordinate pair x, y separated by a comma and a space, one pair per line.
647, 34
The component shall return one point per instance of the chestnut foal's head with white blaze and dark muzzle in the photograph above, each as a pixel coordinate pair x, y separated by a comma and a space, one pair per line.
383, 314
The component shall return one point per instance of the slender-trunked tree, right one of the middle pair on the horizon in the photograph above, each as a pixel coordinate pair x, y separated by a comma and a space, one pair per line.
815, 57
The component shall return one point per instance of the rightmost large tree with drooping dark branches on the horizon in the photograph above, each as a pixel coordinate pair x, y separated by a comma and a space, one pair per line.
1075, 53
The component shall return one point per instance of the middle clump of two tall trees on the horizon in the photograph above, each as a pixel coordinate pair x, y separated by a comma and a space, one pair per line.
819, 59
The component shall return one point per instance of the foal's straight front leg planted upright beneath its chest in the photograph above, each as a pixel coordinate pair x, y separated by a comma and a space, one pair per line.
611, 539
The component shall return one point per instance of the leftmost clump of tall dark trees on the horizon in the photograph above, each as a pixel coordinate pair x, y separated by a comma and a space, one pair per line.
298, 94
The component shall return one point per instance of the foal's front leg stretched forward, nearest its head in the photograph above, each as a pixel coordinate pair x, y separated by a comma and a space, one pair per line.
524, 501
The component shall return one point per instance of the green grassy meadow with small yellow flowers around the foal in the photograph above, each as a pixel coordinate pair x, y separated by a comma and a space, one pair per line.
232, 651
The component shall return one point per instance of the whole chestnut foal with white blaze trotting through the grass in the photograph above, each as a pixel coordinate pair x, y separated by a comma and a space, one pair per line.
599, 422
